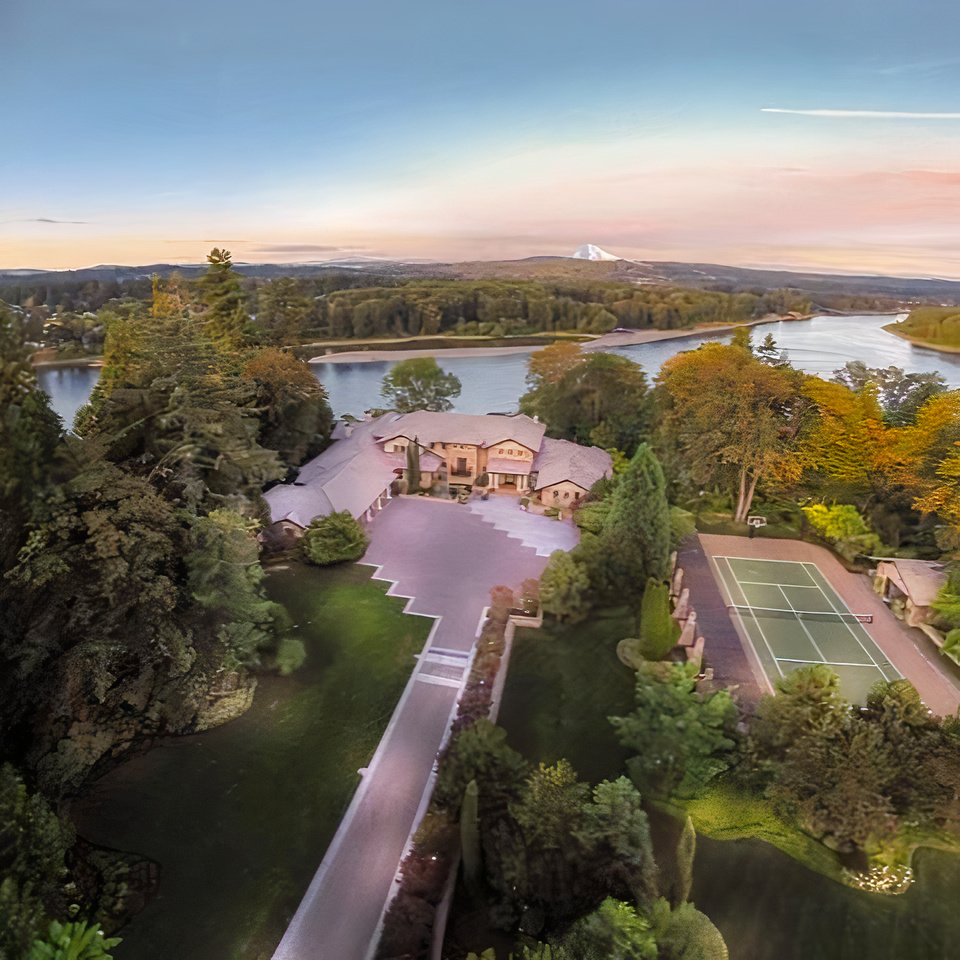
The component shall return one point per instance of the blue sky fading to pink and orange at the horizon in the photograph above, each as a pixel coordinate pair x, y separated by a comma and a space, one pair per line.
822, 135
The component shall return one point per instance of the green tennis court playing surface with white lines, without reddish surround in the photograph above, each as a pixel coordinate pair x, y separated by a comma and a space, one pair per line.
794, 618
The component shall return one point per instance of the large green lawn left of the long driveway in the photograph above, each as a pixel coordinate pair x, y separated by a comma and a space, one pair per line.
239, 817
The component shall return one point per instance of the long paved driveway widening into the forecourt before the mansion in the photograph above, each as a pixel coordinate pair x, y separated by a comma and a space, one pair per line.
447, 557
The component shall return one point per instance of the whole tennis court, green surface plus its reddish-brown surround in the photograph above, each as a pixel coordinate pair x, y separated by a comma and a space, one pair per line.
793, 603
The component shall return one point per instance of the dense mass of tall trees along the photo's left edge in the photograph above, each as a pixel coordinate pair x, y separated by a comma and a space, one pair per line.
131, 594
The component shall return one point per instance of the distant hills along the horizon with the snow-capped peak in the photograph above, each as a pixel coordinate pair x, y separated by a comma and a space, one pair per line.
701, 275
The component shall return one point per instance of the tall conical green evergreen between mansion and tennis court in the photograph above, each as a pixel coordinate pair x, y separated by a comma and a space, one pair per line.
637, 529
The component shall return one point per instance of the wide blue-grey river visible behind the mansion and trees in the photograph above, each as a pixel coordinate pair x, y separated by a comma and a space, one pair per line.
494, 384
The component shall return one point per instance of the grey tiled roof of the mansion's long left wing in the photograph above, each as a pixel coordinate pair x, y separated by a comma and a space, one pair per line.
348, 475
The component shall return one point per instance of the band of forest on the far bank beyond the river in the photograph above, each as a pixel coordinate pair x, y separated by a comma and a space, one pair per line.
74, 317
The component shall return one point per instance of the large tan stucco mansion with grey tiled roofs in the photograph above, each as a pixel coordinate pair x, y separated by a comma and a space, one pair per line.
504, 453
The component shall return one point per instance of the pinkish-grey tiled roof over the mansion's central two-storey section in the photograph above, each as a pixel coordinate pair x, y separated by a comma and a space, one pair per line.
477, 430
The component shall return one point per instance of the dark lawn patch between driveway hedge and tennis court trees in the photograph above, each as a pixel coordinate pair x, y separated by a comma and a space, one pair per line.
564, 681
